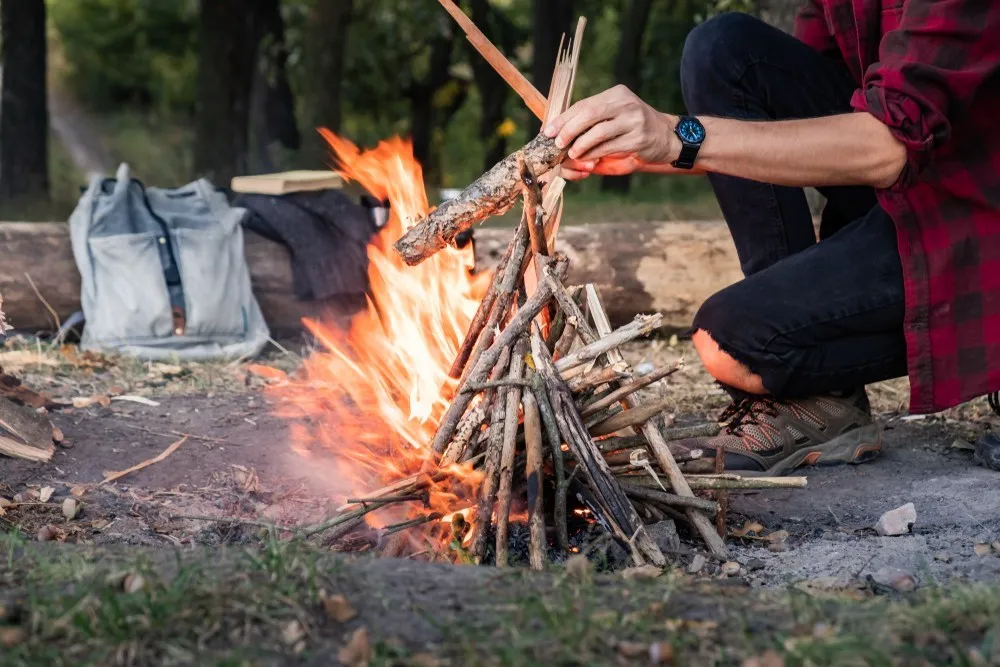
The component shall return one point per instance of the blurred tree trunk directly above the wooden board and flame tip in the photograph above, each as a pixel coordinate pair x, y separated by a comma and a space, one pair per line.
323, 60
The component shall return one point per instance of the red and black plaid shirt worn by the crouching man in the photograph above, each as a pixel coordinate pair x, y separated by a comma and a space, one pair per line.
930, 70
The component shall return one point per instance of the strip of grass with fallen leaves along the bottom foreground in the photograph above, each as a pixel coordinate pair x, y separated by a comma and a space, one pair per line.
68, 606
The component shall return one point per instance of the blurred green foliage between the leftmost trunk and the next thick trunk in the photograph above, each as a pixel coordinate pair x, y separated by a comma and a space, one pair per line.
128, 52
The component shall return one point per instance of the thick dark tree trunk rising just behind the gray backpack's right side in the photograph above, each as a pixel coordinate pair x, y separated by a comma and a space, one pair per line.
229, 36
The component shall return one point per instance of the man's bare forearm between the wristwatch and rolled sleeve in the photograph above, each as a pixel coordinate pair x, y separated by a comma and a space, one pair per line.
846, 149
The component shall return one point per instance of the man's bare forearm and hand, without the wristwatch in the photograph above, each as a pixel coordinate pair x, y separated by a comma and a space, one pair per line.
616, 132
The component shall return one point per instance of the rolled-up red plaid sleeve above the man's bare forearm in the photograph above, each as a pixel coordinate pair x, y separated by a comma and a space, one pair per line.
929, 70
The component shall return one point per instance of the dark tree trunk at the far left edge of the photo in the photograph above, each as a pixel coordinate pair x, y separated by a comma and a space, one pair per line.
24, 115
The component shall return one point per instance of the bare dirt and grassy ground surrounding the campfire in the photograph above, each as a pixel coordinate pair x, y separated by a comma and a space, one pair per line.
226, 591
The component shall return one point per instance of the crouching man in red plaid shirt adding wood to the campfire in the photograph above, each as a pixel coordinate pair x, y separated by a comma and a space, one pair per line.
892, 110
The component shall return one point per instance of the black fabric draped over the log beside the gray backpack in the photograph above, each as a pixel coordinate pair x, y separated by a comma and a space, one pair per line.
327, 233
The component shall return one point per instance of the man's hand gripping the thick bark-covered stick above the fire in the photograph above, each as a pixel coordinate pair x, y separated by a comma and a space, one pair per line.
614, 133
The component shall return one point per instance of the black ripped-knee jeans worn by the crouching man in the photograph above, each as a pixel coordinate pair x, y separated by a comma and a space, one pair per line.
810, 317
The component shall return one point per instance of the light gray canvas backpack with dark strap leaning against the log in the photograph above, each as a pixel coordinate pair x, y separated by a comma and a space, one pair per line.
163, 272
